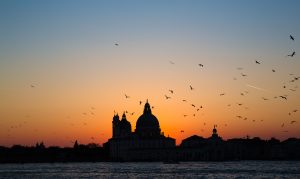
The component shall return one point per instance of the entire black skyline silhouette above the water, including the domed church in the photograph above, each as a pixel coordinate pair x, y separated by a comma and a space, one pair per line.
147, 143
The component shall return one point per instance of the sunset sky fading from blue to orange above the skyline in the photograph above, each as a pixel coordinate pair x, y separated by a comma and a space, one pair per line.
62, 76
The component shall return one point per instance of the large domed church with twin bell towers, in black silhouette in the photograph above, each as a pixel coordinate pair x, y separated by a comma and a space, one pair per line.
146, 143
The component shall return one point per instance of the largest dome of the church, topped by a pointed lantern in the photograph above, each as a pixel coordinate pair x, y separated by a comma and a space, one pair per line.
147, 124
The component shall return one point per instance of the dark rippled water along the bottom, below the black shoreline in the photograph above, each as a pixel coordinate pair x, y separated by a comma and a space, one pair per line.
244, 169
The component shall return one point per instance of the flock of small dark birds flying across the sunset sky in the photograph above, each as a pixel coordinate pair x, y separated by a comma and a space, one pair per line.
197, 108
